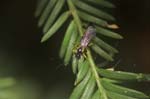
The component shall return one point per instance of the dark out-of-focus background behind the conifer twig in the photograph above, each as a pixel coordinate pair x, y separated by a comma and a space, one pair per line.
39, 72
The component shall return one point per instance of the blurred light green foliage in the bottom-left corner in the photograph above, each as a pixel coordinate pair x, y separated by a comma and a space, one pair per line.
16, 89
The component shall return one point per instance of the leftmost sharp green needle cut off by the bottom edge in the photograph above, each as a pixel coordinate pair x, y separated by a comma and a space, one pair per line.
78, 90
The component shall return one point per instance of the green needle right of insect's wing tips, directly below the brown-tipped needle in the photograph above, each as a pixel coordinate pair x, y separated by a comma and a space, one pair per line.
108, 33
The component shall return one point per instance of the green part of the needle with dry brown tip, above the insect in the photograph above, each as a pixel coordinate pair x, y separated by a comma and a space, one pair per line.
90, 18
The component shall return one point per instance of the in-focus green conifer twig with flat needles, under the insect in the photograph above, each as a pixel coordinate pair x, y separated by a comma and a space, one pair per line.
91, 82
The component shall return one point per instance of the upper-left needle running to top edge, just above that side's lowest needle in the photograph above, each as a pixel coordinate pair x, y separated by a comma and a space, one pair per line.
53, 15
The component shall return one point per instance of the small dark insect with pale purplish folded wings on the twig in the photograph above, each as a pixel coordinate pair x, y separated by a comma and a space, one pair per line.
85, 40
